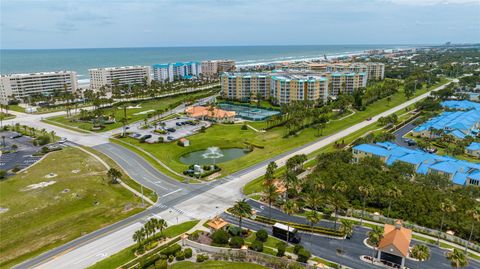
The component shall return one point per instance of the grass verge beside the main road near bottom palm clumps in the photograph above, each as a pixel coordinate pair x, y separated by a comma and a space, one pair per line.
127, 254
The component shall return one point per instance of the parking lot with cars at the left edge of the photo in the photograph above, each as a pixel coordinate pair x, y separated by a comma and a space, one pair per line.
21, 157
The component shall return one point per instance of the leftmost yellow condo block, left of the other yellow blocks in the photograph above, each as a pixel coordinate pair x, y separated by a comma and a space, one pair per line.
245, 86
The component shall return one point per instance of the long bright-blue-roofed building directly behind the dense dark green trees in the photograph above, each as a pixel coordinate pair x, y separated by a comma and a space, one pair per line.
460, 172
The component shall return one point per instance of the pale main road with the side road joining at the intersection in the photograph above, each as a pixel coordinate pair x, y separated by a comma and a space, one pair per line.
178, 202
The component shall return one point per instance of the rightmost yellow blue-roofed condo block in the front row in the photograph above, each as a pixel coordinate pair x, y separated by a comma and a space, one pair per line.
345, 82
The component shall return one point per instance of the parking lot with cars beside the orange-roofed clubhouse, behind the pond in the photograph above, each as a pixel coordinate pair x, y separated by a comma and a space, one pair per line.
174, 129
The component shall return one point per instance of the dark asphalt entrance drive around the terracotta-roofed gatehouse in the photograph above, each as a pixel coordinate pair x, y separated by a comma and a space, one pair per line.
326, 247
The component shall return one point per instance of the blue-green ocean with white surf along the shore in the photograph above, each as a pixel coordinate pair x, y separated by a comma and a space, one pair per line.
80, 60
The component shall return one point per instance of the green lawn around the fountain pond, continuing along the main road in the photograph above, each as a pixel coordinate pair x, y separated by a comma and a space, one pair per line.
272, 141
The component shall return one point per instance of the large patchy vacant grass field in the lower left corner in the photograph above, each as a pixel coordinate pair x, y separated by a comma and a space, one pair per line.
80, 201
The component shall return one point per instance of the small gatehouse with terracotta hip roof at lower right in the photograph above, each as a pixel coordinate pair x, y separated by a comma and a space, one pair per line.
395, 244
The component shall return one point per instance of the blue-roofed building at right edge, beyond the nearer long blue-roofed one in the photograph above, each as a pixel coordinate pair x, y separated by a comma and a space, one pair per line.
459, 124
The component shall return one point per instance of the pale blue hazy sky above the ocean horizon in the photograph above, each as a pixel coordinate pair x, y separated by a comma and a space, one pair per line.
41, 24
